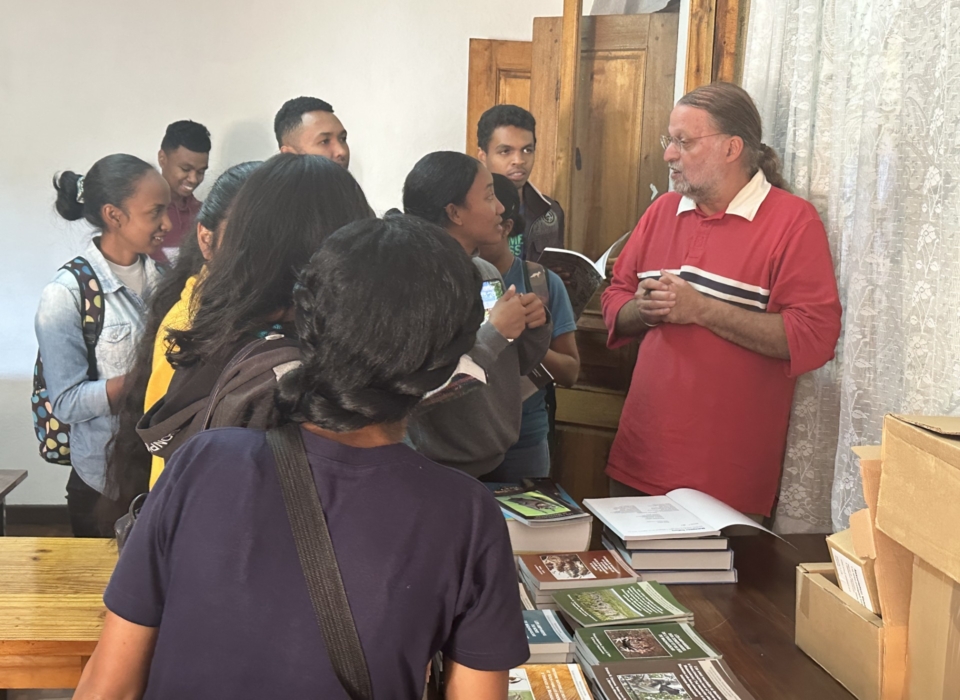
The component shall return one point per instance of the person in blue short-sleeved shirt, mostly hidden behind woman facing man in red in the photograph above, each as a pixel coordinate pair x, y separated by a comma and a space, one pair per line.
529, 457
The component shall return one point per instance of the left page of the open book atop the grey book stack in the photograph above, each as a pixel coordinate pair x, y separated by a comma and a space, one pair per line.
648, 518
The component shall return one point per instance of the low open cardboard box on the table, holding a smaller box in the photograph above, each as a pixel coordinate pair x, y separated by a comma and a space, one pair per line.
841, 635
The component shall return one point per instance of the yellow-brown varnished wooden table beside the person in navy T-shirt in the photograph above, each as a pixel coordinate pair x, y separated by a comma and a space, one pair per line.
51, 607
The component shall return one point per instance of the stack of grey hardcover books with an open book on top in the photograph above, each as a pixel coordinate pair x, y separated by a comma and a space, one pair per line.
671, 539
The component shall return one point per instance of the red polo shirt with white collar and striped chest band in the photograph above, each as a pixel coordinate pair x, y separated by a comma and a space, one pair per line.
702, 412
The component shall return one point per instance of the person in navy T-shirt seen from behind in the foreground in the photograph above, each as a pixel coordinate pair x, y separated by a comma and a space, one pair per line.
211, 570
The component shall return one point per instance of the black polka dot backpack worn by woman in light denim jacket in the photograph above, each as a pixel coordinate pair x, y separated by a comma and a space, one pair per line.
53, 434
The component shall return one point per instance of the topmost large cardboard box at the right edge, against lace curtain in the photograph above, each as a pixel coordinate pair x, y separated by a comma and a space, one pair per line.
919, 500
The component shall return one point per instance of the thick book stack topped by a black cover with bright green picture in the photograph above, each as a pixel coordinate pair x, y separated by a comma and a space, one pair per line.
542, 517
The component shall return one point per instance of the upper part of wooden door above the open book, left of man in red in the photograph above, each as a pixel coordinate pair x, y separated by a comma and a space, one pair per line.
624, 98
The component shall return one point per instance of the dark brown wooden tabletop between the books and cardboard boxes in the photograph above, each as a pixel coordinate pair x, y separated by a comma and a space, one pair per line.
752, 622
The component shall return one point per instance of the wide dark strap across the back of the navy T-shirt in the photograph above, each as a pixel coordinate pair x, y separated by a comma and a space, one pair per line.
319, 561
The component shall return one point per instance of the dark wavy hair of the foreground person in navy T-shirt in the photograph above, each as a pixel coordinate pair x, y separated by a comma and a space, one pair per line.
385, 309
